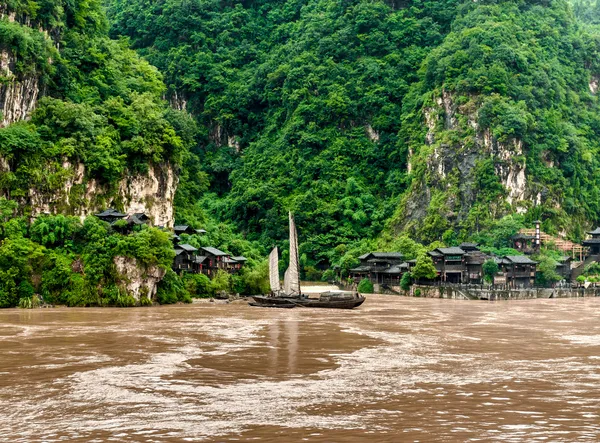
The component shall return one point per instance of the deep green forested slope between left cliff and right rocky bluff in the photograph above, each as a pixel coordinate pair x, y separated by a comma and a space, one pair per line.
298, 104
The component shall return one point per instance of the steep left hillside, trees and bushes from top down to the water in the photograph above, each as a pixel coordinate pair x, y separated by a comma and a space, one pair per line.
81, 115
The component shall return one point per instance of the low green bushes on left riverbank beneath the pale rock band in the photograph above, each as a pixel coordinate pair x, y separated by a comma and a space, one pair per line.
69, 262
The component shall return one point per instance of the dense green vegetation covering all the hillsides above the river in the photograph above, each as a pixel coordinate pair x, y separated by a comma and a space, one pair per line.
329, 109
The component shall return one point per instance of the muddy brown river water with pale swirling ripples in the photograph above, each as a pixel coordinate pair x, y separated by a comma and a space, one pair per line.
396, 369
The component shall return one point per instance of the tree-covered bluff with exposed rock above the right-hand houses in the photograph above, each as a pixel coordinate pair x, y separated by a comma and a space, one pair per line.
521, 75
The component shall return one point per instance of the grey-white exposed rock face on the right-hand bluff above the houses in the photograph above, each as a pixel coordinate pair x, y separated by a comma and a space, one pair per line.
455, 145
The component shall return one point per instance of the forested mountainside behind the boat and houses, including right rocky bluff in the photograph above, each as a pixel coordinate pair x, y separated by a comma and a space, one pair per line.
429, 118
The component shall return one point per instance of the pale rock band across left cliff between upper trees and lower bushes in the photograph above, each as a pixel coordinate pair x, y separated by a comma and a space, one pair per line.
151, 193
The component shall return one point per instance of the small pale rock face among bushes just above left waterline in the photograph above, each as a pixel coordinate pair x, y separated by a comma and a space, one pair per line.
138, 280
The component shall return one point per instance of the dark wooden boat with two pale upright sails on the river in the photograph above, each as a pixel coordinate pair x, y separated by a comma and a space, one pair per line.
292, 292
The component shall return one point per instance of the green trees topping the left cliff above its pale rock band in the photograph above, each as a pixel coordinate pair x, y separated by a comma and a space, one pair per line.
102, 104
